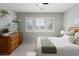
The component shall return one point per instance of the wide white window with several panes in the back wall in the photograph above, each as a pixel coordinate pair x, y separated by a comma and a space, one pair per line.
39, 24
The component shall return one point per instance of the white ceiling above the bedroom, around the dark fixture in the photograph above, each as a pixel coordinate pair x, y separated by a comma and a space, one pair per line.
33, 7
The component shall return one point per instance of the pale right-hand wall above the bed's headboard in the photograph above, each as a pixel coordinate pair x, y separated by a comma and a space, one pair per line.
70, 16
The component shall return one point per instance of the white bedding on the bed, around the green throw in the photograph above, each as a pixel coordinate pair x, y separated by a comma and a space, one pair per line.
63, 45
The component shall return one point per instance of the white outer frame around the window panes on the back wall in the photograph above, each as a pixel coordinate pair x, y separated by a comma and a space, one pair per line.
34, 18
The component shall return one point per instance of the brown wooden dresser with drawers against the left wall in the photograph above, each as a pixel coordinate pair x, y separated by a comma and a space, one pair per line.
9, 43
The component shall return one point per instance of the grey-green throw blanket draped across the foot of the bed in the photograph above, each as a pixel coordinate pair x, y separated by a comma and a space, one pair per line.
48, 47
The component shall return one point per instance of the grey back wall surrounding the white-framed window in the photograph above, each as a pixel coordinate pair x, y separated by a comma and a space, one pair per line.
32, 36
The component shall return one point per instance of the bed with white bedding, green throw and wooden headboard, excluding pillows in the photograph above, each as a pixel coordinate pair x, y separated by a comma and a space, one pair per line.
62, 46
